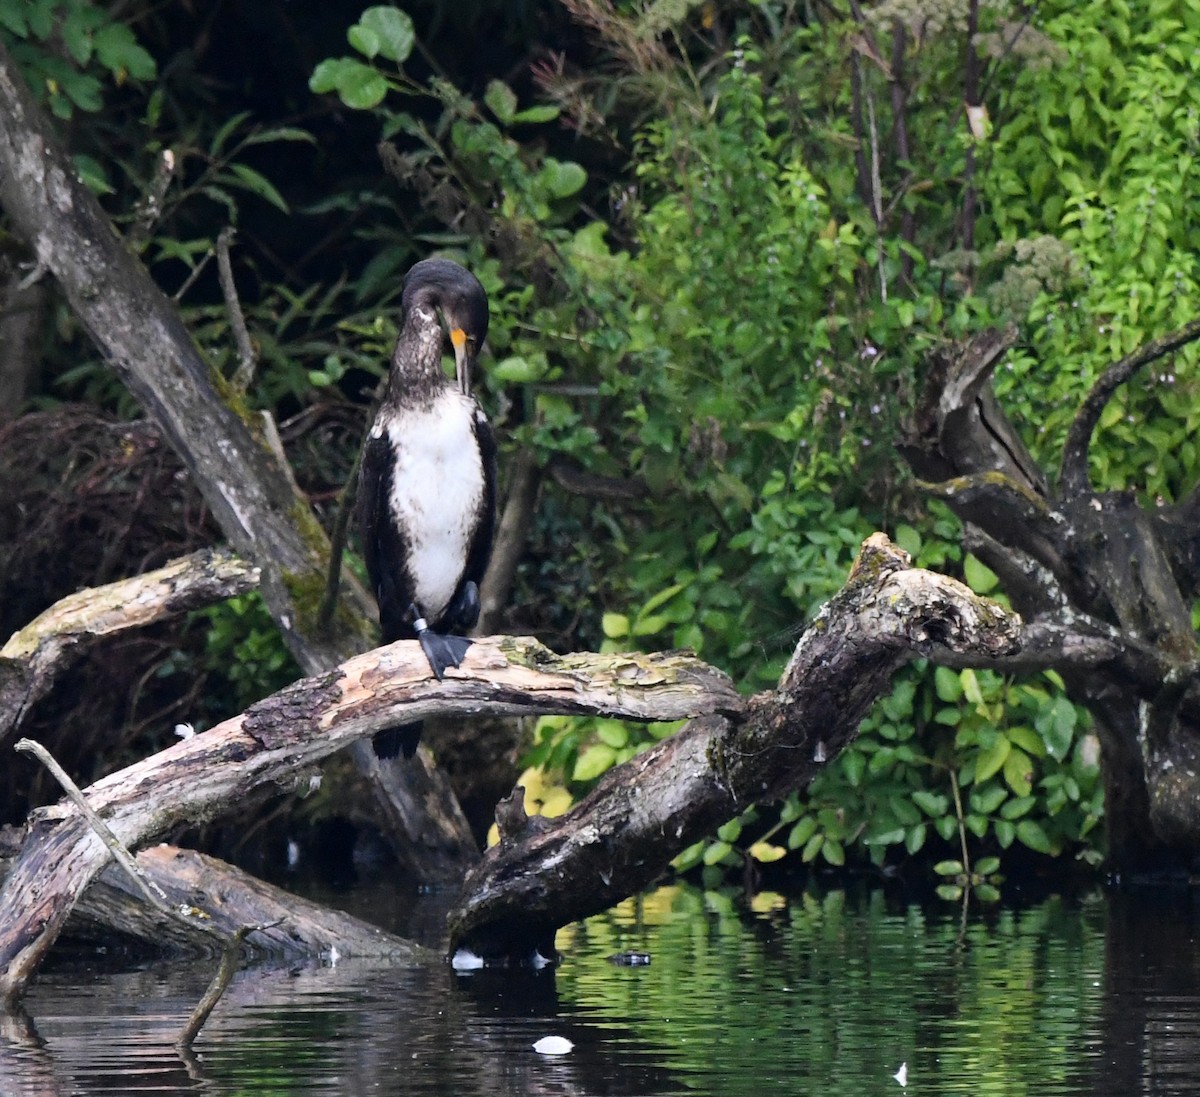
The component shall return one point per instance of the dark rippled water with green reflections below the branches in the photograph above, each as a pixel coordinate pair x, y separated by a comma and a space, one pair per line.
824, 996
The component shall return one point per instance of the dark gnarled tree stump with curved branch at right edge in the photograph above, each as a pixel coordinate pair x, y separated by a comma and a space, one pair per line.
1105, 583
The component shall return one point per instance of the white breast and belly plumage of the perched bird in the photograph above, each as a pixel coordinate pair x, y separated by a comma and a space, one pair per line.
436, 494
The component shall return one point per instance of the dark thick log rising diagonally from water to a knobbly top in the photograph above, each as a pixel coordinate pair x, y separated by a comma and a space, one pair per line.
625, 835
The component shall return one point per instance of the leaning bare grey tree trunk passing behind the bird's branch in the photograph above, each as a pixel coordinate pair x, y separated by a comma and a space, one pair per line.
251, 495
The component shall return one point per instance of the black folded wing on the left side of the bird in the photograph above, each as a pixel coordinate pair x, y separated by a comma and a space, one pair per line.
383, 548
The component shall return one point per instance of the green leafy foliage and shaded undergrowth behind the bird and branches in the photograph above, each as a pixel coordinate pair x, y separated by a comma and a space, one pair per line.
719, 241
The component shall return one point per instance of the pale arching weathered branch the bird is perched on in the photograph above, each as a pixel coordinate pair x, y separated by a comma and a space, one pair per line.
281, 739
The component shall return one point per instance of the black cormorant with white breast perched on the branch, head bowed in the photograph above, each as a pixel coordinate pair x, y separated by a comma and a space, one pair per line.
428, 487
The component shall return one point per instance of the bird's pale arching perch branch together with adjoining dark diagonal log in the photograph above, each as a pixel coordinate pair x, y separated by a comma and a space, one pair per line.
734, 753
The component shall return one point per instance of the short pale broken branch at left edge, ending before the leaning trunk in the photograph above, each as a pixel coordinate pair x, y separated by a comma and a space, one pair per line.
34, 657
